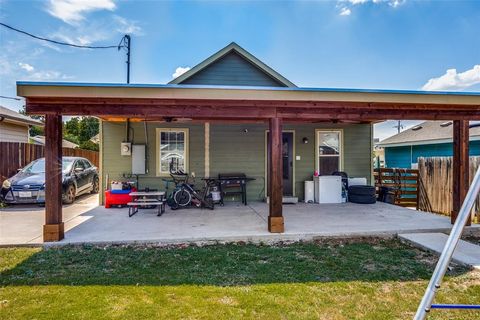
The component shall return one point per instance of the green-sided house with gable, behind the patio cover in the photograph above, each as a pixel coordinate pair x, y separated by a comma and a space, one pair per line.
208, 148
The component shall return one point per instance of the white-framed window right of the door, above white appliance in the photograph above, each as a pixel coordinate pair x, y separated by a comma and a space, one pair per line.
329, 151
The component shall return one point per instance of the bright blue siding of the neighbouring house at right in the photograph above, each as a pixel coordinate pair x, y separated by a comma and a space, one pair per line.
403, 157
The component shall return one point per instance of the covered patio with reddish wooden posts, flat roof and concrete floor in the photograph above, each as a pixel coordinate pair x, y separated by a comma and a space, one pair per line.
275, 106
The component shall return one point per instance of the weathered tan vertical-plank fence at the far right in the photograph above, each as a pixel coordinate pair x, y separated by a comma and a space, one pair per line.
436, 184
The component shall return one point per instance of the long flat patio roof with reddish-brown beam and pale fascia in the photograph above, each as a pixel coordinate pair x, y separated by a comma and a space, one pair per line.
157, 102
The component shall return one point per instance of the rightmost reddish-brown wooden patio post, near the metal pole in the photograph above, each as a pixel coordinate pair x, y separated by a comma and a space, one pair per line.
461, 167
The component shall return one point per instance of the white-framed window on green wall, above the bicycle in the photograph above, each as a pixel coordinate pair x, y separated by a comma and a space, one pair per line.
172, 148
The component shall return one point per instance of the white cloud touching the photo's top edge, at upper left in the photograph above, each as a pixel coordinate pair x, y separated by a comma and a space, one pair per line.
73, 11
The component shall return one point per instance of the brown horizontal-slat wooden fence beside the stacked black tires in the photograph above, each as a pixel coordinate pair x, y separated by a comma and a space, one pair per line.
404, 183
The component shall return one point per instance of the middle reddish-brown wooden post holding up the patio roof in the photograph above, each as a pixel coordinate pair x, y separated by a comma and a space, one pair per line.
275, 177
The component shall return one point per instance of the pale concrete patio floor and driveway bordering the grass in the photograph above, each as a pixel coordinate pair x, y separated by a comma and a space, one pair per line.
233, 222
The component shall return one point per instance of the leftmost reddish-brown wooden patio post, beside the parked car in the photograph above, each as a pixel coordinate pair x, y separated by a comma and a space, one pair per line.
53, 229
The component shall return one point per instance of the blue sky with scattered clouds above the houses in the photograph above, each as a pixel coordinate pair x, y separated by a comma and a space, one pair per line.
383, 44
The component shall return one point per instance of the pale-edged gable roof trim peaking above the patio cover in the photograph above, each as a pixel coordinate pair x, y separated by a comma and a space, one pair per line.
233, 48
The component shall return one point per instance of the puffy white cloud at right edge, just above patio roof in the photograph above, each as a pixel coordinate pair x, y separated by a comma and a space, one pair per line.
452, 80
